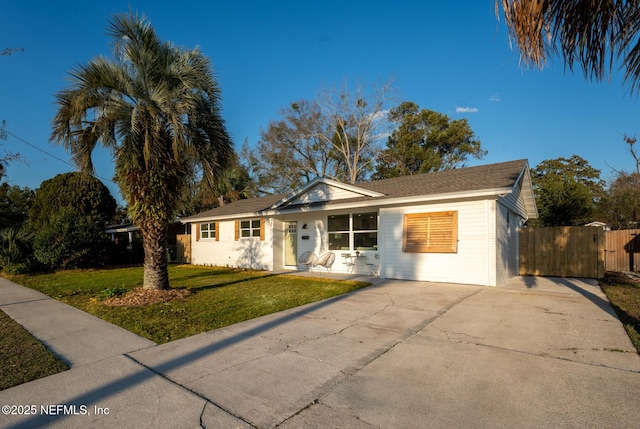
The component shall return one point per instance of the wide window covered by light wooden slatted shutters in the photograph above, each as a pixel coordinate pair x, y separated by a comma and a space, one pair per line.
435, 232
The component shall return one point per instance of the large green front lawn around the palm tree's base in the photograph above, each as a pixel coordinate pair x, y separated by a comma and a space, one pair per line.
219, 297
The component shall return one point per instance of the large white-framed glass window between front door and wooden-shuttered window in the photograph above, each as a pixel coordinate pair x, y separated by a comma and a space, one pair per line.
358, 231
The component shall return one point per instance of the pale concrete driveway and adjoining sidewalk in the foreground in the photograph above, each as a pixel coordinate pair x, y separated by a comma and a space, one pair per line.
537, 352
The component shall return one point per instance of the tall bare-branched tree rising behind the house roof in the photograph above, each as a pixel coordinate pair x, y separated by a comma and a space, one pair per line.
336, 136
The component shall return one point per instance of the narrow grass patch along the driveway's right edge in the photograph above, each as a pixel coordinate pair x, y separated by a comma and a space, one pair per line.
624, 295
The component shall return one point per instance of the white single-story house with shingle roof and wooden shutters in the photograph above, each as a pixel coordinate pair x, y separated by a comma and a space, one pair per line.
457, 226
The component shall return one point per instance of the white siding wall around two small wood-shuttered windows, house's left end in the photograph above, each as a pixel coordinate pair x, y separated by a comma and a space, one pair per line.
243, 253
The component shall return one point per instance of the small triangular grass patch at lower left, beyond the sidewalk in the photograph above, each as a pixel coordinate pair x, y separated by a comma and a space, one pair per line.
22, 357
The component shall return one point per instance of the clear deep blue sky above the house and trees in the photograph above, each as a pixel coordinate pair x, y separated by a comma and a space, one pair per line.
453, 57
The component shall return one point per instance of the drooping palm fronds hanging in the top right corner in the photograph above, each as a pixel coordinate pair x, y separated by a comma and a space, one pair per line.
592, 34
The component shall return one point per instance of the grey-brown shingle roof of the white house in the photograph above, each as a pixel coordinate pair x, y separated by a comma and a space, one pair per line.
486, 177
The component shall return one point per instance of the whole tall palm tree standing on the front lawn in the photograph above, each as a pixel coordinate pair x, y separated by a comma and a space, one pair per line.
156, 107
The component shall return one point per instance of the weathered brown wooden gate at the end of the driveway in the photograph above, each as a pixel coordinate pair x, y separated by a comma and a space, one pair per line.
563, 251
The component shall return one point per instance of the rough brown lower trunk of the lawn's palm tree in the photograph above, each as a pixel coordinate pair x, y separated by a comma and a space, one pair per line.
154, 241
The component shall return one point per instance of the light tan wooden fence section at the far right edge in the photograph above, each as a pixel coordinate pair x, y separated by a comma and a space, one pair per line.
622, 250
